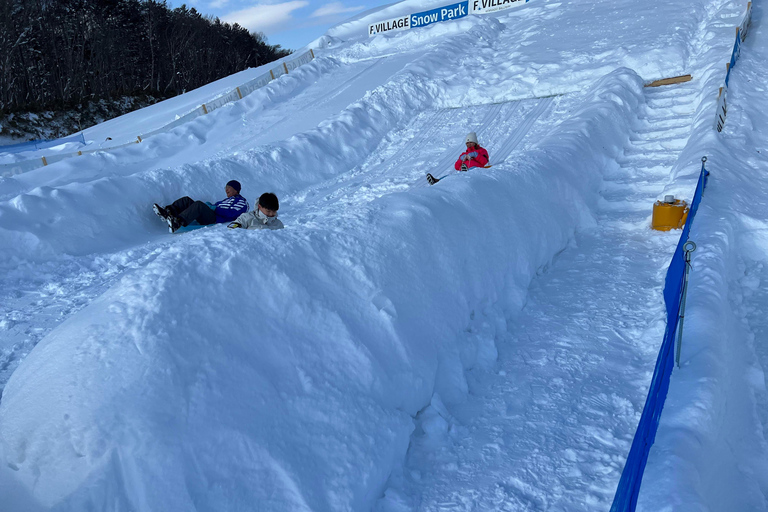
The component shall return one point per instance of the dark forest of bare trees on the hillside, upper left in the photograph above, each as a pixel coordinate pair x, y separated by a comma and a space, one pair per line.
55, 54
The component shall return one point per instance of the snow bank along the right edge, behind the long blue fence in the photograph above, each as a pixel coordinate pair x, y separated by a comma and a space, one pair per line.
710, 451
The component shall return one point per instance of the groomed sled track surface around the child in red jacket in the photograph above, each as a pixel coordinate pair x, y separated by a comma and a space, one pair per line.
430, 143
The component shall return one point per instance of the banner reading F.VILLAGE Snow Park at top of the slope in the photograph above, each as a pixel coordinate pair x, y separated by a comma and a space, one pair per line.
439, 14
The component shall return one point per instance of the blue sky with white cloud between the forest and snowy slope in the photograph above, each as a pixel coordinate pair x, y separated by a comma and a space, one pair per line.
291, 24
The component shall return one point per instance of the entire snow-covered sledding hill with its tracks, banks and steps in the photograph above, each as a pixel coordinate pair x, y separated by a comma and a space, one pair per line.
515, 337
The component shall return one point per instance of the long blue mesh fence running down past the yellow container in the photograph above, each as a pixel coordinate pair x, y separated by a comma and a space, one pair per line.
625, 499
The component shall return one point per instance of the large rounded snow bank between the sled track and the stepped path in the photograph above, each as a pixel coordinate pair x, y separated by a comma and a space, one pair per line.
285, 368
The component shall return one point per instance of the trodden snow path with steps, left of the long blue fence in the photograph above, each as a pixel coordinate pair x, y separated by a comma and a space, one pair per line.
592, 322
